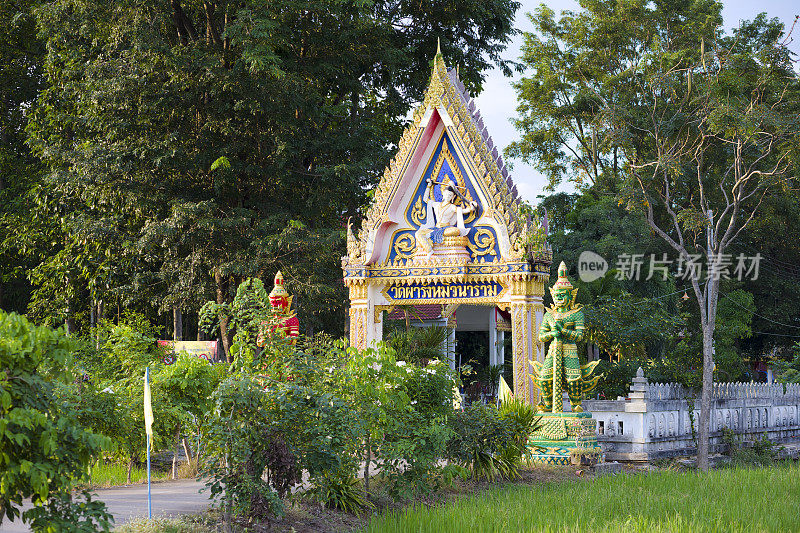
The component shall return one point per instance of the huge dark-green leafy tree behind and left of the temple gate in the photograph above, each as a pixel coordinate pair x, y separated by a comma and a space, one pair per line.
205, 142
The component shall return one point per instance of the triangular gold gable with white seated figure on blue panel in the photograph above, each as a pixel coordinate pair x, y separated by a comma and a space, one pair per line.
446, 199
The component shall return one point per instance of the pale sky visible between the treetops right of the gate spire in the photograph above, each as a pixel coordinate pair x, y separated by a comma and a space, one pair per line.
498, 101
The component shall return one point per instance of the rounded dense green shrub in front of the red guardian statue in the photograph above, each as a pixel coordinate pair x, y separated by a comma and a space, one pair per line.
249, 433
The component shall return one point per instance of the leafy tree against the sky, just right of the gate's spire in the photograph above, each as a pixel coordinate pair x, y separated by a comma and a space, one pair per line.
589, 59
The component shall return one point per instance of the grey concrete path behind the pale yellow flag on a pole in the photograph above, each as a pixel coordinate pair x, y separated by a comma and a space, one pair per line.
170, 498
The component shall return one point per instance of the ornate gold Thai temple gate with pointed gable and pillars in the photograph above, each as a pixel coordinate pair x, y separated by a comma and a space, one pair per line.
445, 228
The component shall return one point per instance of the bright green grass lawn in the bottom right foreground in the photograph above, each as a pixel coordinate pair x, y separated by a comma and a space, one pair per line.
726, 500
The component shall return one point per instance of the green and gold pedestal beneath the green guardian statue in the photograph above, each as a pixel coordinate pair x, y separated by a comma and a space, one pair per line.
560, 433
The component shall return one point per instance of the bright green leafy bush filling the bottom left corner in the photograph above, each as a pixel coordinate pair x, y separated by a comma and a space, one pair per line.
43, 448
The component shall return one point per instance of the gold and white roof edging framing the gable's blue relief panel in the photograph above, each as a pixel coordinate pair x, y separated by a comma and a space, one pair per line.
467, 142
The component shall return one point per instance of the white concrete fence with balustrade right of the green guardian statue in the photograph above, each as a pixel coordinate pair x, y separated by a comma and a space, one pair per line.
655, 420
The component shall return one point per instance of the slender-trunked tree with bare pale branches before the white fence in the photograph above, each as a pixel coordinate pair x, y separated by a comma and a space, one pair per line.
719, 138
